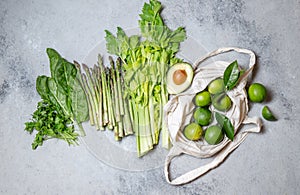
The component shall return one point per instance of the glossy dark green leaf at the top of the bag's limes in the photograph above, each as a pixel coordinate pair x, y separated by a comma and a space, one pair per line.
231, 75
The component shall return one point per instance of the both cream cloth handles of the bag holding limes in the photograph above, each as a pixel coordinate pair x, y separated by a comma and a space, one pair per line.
220, 157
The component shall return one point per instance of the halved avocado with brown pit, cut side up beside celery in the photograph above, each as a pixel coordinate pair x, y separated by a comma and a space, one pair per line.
179, 77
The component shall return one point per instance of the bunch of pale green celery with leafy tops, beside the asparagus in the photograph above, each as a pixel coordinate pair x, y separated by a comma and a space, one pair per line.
146, 59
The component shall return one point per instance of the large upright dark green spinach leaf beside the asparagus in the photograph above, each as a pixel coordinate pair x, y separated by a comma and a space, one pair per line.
64, 89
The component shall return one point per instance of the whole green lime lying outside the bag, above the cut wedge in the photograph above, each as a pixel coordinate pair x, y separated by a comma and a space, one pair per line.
257, 92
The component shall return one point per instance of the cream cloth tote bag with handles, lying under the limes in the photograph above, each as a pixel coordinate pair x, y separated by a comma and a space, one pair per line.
178, 113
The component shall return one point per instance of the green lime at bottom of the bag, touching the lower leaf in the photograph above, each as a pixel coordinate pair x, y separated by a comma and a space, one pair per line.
213, 135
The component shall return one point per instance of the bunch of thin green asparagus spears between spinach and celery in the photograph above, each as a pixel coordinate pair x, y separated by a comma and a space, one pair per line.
104, 91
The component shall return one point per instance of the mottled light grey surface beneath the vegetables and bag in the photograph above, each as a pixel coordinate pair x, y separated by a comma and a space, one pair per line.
267, 163
